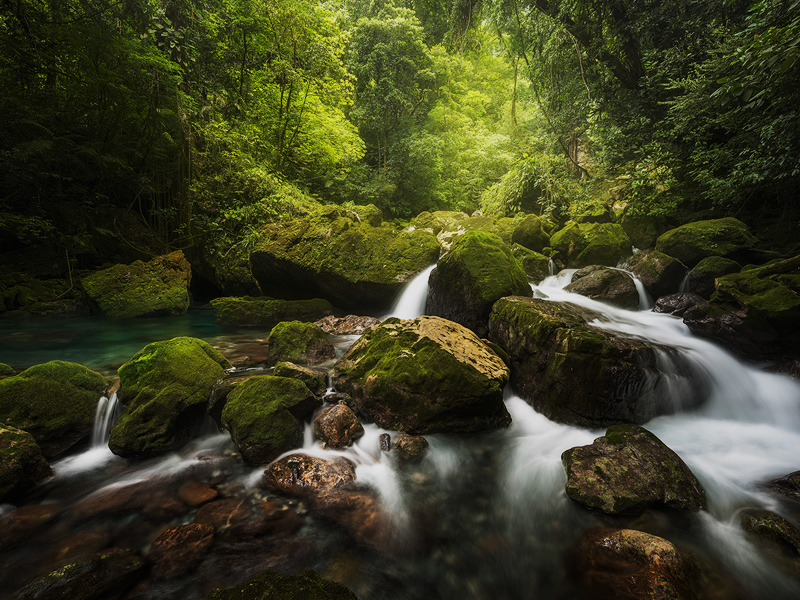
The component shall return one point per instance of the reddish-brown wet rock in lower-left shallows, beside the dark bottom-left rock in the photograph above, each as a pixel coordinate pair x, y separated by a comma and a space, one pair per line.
178, 550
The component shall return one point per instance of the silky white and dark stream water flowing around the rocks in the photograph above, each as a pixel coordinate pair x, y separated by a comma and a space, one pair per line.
482, 516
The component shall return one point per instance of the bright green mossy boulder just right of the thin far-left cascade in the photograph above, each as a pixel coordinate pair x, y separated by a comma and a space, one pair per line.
165, 389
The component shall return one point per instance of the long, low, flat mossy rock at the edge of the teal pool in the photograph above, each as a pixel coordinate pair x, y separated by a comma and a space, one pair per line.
262, 311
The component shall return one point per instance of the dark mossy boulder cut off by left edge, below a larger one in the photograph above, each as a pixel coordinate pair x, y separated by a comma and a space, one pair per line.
21, 462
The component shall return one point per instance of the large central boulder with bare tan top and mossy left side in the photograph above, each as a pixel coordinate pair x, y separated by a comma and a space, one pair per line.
424, 375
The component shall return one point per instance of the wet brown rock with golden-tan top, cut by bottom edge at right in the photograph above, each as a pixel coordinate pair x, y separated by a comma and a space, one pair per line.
630, 564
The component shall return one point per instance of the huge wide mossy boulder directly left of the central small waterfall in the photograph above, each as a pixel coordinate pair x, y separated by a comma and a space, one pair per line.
341, 259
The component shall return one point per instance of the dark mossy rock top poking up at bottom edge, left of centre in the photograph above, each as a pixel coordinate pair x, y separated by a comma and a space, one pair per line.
271, 585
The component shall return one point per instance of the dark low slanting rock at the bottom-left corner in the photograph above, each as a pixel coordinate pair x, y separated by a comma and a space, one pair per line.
104, 575
